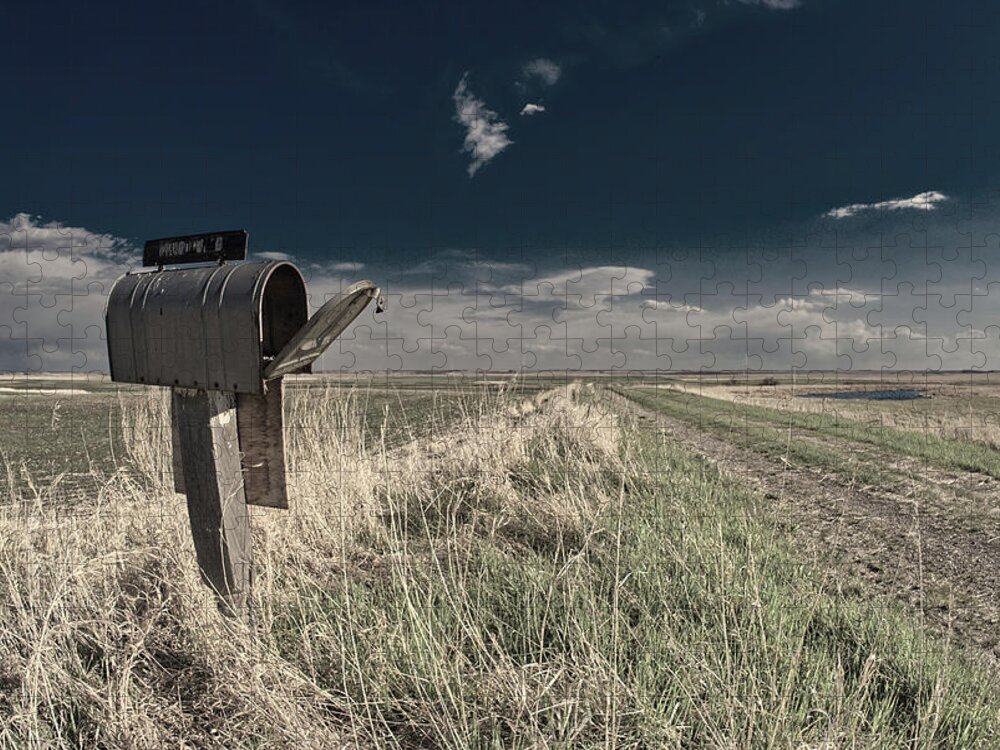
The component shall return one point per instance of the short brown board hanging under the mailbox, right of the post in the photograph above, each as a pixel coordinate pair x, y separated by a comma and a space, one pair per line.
262, 442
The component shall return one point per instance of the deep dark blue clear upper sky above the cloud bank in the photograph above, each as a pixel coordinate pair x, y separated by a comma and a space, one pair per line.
330, 131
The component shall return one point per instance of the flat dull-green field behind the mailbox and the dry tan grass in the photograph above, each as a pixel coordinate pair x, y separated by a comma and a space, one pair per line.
70, 429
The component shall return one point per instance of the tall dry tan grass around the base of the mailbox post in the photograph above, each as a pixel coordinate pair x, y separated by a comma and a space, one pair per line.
109, 637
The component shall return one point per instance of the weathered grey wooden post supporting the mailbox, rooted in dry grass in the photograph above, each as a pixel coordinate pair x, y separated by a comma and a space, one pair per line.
216, 500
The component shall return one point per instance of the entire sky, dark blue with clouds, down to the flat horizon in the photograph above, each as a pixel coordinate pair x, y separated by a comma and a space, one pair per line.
696, 184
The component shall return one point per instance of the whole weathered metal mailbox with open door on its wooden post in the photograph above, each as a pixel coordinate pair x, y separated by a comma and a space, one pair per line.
222, 335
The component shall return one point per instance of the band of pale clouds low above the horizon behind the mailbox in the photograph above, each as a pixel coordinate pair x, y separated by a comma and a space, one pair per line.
458, 310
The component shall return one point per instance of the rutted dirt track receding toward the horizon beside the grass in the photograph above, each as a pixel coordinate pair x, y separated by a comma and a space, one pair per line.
900, 542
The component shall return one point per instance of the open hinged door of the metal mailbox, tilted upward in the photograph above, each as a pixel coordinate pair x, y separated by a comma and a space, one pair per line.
322, 329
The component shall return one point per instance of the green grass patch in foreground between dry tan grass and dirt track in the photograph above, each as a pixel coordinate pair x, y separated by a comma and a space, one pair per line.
675, 616
